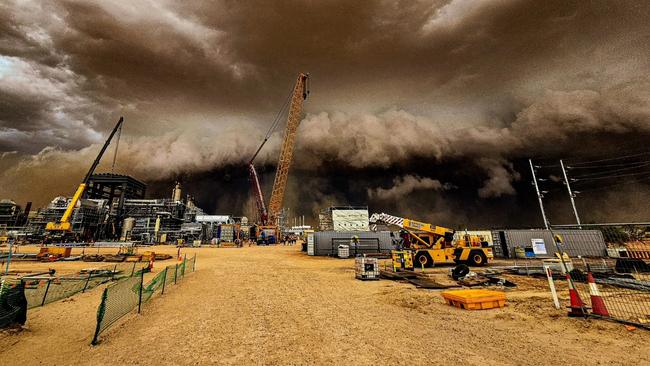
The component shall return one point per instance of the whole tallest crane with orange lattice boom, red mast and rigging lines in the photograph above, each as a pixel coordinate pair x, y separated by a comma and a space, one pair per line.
268, 219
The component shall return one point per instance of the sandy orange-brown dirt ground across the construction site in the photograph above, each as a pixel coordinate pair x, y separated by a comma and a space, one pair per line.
275, 305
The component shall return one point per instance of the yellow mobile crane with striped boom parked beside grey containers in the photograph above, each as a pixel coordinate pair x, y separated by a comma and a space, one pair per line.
433, 244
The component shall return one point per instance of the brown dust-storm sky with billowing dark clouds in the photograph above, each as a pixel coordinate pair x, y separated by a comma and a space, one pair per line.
480, 84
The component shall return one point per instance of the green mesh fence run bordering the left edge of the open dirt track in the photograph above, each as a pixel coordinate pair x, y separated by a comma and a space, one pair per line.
128, 294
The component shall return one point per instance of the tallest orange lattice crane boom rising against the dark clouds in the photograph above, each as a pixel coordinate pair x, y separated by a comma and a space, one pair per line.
300, 92
